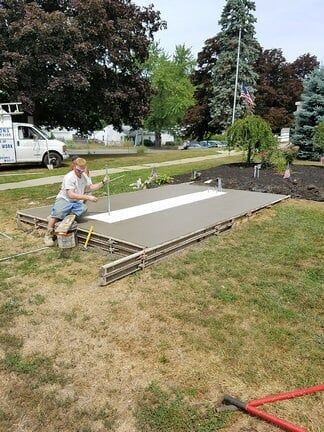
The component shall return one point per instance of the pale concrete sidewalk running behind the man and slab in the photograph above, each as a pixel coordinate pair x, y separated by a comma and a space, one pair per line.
58, 179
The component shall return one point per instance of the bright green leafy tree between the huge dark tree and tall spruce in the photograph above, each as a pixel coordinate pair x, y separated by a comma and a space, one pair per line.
172, 90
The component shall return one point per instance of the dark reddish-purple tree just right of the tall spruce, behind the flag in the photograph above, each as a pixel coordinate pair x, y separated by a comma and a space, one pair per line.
280, 85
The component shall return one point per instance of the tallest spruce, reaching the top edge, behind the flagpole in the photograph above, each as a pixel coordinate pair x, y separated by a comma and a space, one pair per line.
236, 14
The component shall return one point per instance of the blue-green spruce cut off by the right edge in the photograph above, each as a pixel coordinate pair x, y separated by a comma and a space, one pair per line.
312, 111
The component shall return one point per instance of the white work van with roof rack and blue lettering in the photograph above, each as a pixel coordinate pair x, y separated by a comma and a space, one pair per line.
25, 143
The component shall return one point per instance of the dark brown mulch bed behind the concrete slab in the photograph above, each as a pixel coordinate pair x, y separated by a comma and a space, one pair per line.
306, 182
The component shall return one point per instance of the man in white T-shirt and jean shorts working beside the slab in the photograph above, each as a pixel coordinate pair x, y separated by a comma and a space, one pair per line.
75, 191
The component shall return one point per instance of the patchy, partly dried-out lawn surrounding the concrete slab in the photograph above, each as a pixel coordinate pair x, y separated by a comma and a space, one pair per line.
239, 314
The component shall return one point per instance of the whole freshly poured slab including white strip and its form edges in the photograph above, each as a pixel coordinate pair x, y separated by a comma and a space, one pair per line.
156, 218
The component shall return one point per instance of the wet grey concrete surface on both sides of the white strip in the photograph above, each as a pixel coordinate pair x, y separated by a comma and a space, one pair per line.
161, 226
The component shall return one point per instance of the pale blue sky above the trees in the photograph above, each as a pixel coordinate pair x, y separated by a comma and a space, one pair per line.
295, 26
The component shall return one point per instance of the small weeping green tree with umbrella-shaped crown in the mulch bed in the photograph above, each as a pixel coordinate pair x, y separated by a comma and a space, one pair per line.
253, 135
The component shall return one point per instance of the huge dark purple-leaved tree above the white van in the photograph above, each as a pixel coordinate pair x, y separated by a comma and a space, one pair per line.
74, 63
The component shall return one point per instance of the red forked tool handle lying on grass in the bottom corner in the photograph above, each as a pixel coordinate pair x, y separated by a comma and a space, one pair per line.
251, 407
